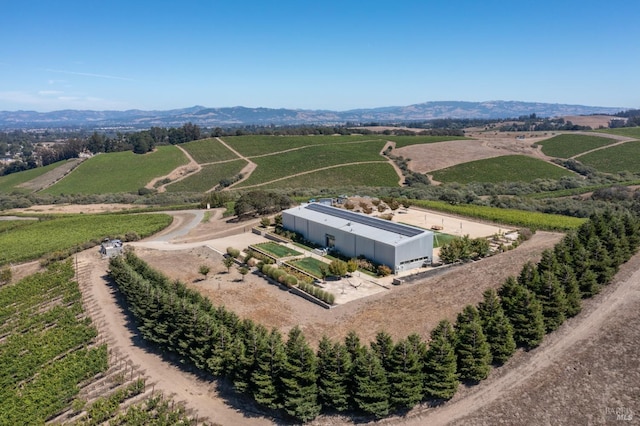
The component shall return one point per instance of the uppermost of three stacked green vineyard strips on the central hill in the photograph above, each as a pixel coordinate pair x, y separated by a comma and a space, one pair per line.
251, 146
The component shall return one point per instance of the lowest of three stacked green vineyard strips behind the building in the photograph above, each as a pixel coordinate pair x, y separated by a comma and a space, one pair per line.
371, 174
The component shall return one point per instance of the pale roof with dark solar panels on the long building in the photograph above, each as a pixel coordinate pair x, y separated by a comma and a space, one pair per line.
385, 231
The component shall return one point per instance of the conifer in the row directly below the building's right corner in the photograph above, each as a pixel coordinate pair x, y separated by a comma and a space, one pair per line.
440, 377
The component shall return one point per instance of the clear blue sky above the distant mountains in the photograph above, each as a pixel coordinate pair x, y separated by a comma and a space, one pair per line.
328, 54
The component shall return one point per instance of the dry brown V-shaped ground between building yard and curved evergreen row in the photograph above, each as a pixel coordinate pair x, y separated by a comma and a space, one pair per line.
424, 302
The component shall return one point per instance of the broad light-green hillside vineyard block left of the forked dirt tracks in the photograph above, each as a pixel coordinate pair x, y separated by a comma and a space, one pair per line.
119, 172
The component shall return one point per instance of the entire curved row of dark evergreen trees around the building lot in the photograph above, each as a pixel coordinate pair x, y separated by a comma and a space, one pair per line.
384, 376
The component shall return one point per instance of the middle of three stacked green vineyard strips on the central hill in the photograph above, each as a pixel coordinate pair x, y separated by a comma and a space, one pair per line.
278, 166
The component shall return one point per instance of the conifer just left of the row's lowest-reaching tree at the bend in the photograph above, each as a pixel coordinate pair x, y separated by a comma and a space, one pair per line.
265, 378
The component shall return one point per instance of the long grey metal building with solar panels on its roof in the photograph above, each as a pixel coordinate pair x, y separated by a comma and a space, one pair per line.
400, 247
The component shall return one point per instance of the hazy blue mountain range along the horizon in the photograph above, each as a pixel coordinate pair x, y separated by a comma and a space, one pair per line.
236, 116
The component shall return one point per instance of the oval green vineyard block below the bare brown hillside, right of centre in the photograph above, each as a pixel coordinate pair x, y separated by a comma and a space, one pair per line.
508, 168
